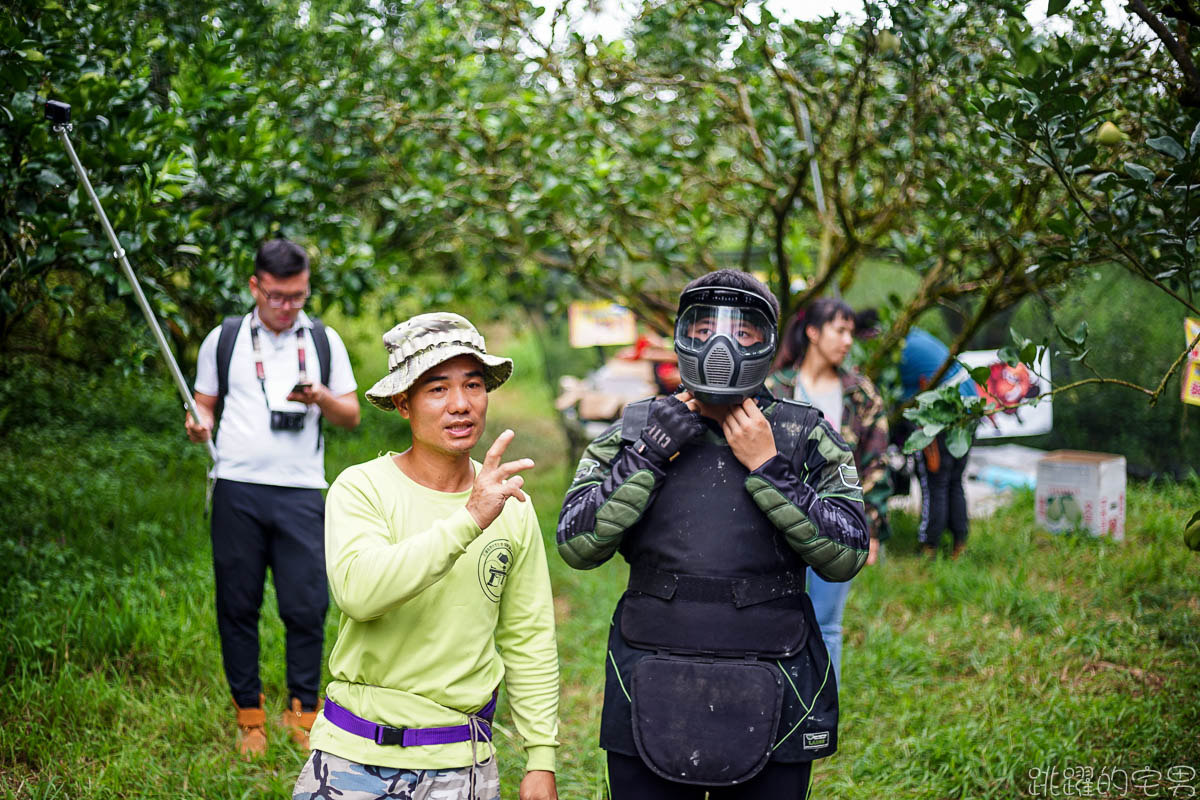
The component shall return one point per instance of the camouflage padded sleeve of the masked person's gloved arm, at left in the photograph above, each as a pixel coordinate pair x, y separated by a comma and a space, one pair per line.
613, 489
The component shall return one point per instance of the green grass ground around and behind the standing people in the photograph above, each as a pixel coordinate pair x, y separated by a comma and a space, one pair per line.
1034, 652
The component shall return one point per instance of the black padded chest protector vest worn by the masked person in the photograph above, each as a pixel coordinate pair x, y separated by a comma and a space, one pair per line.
716, 661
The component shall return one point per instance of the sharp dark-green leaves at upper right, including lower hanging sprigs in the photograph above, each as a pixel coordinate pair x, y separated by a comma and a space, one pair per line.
1053, 110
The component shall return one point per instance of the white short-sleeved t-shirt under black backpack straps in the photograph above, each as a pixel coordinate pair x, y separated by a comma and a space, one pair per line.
248, 449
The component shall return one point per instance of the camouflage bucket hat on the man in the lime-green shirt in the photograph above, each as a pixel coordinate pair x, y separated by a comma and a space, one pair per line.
425, 341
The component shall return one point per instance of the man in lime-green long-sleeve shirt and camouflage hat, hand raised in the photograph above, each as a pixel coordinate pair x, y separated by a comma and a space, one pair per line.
443, 590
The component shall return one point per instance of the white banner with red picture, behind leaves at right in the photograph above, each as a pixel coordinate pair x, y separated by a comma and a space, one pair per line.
1009, 387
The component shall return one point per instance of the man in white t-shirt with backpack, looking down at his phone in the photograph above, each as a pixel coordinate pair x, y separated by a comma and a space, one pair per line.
262, 380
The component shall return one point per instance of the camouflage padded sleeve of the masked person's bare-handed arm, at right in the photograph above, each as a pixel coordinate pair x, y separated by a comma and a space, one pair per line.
821, 514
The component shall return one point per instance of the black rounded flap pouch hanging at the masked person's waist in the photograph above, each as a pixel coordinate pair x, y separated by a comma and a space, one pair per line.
705, 723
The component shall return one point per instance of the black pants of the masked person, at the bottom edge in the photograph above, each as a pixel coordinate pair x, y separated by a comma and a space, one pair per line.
629, 779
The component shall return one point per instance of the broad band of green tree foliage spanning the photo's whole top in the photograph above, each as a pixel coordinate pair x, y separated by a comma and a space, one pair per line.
443, 153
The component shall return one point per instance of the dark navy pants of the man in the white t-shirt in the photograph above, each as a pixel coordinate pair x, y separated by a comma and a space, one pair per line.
256, 527
